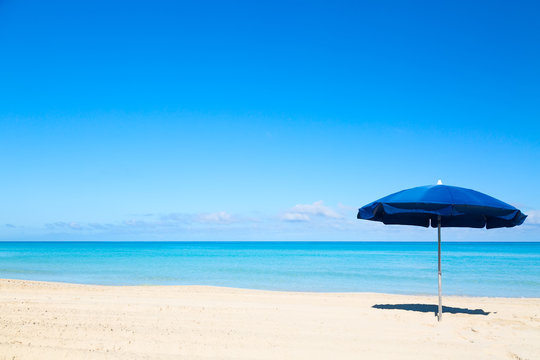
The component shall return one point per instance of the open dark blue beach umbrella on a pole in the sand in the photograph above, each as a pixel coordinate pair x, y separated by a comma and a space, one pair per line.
442, 206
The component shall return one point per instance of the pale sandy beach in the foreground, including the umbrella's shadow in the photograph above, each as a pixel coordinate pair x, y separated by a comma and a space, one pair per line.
65, 321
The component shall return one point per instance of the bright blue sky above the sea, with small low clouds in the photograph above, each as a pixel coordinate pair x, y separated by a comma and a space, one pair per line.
166, 120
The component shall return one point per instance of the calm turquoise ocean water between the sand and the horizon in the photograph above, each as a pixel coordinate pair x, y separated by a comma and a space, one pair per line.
475, 269
